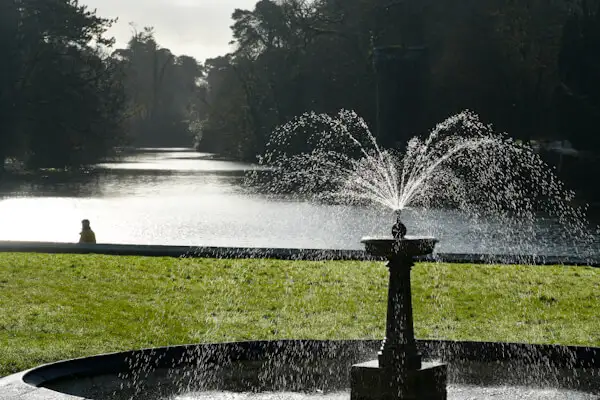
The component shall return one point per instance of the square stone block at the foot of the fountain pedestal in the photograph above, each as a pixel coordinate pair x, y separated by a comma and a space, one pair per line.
370, 382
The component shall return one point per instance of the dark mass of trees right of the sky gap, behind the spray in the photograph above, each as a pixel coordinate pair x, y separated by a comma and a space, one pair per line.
531, 67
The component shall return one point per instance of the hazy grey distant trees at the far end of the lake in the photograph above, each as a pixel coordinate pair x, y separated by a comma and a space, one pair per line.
165, 93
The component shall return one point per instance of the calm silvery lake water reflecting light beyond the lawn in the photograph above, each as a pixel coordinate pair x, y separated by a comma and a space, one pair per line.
180, 197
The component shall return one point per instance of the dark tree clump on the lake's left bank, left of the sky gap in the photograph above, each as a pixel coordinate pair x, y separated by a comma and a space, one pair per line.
61, 99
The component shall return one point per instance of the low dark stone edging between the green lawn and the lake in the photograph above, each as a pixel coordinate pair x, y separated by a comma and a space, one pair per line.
279, 253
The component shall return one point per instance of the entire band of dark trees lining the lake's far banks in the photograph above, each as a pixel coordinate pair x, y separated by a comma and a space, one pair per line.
530, 67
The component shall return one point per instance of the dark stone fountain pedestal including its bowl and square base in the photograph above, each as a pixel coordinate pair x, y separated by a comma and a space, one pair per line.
398, 373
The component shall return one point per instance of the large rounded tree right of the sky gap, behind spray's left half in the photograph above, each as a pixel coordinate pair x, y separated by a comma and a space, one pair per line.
291, 56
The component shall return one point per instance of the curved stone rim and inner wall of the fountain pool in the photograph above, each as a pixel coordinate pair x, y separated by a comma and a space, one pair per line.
26, 385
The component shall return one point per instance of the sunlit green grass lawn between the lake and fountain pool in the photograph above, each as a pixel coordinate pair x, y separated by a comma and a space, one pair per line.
54, 307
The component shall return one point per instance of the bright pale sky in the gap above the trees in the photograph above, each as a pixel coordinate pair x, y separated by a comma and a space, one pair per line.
199, 28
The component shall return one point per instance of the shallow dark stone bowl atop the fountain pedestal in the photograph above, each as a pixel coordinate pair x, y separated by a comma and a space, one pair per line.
408, 247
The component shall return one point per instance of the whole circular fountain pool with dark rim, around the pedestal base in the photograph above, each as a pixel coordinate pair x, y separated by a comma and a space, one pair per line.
307, 370
